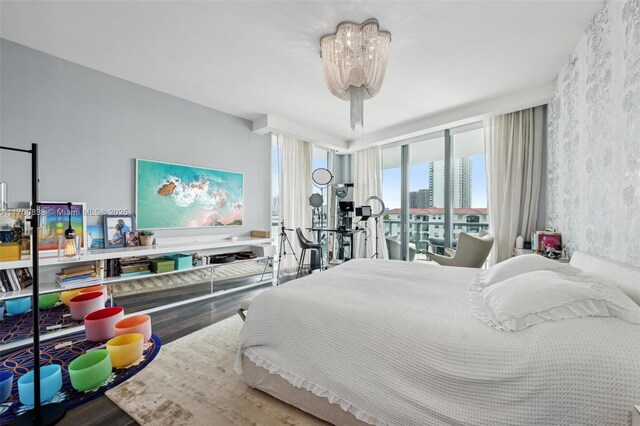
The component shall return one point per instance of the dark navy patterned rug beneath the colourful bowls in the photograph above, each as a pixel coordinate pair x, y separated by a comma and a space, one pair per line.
20, 362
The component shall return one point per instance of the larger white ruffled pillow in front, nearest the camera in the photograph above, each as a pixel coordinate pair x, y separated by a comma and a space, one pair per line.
535, 297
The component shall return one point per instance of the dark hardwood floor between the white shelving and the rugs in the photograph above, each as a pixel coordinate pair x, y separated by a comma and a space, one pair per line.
169, 325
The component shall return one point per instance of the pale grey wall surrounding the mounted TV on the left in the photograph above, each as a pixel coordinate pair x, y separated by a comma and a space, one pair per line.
91, 126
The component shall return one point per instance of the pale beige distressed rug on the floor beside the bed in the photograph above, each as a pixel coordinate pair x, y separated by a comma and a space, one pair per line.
192, 382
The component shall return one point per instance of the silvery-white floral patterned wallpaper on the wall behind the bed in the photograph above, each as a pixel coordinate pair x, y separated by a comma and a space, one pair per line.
593, 177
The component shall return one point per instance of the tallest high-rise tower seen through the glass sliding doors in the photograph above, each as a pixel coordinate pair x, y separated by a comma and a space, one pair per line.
461, 171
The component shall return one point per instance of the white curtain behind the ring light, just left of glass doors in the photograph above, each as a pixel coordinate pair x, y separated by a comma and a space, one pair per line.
367, 181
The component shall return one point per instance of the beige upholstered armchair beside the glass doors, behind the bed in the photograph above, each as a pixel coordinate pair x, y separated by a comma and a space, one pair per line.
471, 251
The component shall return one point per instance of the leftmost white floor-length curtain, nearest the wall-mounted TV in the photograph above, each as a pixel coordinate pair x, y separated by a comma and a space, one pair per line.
295, 190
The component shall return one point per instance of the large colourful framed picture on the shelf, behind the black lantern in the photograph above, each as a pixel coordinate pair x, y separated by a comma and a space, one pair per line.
54, 220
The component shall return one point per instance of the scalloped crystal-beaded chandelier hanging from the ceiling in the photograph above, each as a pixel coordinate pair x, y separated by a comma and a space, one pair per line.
355, 60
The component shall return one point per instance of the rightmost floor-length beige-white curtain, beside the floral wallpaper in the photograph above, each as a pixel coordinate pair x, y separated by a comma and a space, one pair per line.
513, 145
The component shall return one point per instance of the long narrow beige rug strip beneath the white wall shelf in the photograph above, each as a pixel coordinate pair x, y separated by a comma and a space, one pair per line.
221, 273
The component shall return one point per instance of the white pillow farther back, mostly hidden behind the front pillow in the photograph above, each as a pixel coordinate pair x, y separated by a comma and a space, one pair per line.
515, 266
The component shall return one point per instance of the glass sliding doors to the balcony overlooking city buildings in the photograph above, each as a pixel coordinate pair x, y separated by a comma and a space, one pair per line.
418, 216
